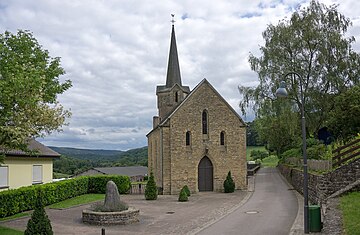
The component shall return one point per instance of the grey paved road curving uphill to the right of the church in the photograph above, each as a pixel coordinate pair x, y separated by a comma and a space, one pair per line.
272, 209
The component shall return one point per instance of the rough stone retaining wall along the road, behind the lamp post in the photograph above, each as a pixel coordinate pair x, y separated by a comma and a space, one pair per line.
320, 187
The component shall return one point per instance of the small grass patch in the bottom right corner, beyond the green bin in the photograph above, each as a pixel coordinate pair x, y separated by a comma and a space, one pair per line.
350, 206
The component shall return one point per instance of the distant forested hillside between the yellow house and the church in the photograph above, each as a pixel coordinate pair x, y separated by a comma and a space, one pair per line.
73, 161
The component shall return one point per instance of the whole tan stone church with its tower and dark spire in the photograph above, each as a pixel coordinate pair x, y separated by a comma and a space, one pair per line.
197, 137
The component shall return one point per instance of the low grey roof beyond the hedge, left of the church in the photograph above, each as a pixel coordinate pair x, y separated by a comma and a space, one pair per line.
126, 170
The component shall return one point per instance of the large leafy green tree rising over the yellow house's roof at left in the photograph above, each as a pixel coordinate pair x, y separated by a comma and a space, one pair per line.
29, 85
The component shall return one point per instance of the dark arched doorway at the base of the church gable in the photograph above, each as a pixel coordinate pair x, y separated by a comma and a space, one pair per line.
205, 175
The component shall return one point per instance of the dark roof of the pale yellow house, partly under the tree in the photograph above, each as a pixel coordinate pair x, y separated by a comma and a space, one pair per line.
37, 148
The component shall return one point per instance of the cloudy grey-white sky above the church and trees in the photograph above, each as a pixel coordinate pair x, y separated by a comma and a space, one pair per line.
115, 52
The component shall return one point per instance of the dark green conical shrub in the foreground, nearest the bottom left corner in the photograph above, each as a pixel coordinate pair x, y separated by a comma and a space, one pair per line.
39, 222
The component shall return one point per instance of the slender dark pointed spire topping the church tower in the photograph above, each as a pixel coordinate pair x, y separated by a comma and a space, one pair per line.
173, 73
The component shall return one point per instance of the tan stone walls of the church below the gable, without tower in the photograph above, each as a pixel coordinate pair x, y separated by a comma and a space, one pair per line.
175, 164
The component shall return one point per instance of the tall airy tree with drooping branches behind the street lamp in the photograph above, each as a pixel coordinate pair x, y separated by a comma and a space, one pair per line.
312, 43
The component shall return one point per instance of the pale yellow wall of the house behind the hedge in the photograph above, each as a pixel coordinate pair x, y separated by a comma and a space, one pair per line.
20, 170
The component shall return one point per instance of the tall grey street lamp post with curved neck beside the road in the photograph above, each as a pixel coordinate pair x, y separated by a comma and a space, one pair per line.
281, 92
